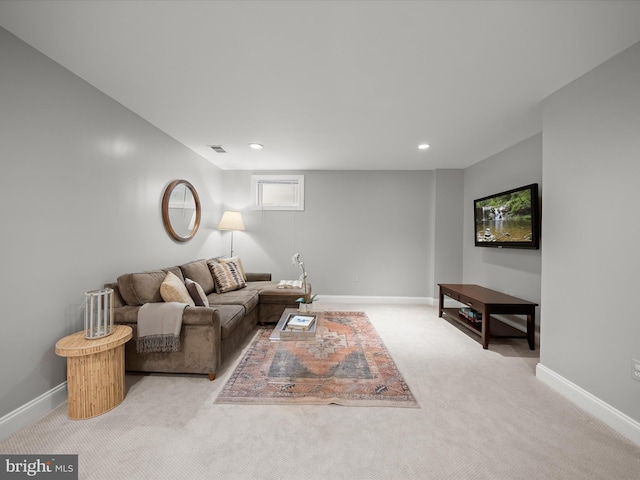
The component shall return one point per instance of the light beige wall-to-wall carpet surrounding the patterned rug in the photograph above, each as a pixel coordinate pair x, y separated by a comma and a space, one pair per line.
484, 415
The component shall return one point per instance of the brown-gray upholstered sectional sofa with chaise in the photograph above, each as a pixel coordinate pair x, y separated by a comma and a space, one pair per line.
210, 335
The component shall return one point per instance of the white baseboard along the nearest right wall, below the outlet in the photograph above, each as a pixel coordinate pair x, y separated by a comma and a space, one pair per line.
617, 420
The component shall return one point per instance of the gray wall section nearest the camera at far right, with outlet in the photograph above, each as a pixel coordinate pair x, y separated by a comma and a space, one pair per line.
591, 229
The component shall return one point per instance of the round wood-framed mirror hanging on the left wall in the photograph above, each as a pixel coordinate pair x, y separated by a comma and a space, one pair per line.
181, 210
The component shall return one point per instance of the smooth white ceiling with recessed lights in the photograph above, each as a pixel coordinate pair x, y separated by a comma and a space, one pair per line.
331, 84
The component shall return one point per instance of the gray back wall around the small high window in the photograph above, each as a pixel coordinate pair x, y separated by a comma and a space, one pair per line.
361, 233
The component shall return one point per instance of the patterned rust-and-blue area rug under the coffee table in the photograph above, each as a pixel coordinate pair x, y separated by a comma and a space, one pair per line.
346, 364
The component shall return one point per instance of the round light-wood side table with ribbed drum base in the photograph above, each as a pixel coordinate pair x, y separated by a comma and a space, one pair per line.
95, 371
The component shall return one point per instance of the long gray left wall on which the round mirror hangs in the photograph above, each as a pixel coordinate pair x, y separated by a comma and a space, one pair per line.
81, 184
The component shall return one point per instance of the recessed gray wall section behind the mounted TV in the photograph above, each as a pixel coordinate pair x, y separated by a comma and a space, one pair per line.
512, 271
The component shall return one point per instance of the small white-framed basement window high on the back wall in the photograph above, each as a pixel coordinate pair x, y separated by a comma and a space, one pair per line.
278, 192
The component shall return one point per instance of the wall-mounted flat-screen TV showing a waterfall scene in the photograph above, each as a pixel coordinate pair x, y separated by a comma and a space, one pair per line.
508, 219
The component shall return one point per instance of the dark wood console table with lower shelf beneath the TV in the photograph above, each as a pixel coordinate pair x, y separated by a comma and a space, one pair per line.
487, 302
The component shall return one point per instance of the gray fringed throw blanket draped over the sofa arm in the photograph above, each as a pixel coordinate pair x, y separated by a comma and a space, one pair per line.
159, 327
